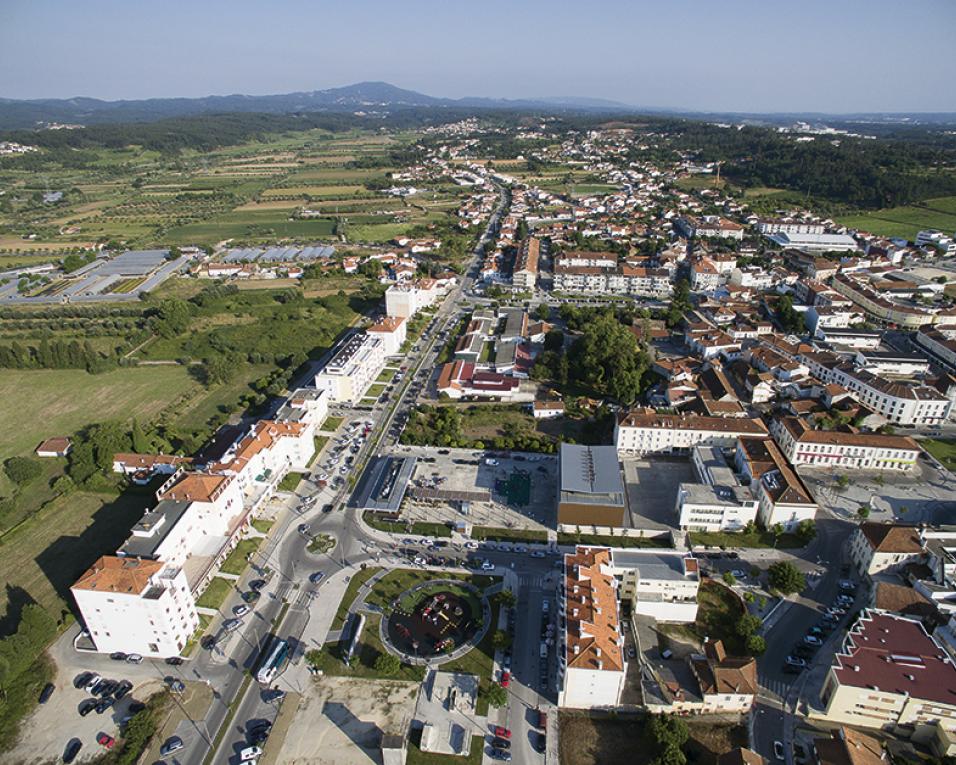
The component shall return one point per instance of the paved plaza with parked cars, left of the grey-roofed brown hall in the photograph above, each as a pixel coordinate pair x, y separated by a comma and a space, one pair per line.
516, 492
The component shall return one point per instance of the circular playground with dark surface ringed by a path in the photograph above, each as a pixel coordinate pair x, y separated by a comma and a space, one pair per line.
436, 621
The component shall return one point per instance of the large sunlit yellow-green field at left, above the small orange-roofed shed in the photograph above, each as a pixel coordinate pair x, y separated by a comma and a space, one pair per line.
61, 401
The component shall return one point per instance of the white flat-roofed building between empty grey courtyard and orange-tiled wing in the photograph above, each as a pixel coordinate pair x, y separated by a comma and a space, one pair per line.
718, 502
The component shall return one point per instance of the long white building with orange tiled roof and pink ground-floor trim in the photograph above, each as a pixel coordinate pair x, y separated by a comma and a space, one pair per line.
802, 445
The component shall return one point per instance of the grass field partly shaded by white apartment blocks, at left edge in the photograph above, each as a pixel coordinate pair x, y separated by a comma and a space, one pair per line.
42, 557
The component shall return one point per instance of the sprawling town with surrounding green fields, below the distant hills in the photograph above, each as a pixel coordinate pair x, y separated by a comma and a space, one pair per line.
543, 440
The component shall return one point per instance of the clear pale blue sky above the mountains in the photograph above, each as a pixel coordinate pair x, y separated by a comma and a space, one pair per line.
835, 56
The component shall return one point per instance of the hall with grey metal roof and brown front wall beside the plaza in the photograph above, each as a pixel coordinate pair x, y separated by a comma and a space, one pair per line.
590, 487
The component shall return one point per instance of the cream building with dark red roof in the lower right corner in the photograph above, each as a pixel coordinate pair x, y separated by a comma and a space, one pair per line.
891, 675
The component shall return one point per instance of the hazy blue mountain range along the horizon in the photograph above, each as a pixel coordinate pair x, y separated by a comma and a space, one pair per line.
363, 96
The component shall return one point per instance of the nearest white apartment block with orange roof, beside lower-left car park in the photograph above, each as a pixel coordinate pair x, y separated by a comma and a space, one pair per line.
136, 606
